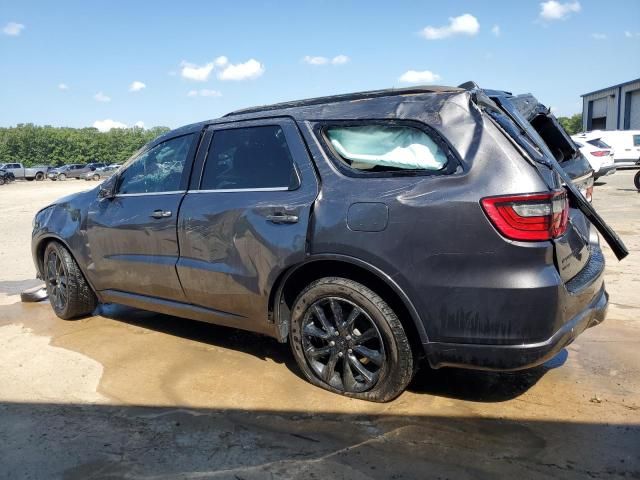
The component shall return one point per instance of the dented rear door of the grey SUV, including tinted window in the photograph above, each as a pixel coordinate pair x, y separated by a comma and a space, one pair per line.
246, 218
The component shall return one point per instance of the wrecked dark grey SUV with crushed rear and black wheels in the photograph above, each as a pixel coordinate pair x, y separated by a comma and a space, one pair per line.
367, 230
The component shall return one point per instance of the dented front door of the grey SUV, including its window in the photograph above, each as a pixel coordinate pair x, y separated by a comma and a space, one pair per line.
132, 236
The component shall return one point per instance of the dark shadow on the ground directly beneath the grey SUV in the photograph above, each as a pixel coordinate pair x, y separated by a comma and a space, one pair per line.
457, 383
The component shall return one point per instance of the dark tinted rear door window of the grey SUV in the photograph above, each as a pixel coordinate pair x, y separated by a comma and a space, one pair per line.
252, 157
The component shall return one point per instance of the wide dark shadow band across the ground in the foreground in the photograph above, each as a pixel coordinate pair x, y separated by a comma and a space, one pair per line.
77, 441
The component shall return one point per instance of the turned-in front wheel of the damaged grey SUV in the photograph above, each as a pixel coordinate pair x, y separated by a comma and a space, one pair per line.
69, 293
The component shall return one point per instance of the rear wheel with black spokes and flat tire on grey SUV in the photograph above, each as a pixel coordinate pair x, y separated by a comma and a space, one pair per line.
346, 339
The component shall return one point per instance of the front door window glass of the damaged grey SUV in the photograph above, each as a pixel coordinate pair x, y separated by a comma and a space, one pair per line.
158, 169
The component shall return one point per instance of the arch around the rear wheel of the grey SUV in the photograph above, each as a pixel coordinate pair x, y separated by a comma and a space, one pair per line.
296, 278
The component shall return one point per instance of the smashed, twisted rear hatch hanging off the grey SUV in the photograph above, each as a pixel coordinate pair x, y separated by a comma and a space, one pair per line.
525, 120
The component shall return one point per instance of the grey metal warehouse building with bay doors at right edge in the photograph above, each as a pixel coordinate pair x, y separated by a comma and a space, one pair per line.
612, 108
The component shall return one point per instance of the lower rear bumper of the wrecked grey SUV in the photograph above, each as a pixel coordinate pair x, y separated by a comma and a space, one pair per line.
518, 357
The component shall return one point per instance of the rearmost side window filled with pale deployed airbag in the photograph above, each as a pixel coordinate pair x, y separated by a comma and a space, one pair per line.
384, 147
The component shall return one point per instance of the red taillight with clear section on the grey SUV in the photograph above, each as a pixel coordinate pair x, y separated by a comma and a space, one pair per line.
529, 217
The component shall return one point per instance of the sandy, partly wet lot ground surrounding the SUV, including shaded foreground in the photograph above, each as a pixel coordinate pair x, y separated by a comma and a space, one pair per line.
130, 394
